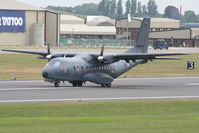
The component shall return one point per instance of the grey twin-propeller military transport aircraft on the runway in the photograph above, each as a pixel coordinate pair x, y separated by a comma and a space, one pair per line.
100, 68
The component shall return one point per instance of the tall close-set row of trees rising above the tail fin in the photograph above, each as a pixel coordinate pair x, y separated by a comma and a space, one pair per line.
114, 9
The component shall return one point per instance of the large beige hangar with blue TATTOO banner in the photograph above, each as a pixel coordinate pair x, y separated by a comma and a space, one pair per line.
24, 24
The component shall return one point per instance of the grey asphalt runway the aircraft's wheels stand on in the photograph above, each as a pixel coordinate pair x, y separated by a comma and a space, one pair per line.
123, 89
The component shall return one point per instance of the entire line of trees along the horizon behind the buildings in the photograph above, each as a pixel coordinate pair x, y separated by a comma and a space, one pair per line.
115, 10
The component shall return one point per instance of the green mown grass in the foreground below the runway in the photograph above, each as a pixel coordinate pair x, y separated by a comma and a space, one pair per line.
164, 116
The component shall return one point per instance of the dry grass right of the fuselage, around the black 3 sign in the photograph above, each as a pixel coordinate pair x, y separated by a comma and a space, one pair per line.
166, 68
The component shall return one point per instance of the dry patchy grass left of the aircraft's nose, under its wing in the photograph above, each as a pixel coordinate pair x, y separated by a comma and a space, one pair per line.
20, 66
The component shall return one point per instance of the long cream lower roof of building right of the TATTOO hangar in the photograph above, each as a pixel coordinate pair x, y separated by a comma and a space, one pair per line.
87, 30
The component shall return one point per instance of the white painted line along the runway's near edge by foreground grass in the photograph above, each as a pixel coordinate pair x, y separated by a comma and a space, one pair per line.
98, 99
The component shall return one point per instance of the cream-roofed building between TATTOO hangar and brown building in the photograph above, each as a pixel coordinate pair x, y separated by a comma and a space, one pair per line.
76, 26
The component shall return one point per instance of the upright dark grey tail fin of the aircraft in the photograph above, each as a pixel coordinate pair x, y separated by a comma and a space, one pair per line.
141, 45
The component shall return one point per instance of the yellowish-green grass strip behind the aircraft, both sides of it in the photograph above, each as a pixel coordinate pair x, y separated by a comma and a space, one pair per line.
24, 66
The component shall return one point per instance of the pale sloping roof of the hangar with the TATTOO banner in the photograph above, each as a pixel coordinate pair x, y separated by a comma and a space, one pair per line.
16, 5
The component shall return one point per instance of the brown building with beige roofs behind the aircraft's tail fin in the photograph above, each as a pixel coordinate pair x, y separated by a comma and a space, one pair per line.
161, 28
